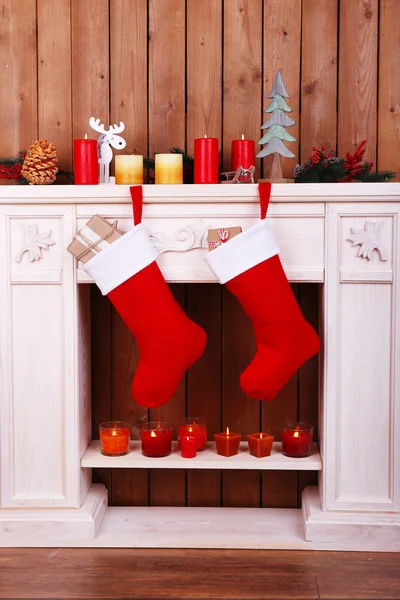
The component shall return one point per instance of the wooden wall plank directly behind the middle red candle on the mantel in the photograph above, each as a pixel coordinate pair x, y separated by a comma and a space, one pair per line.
204, 70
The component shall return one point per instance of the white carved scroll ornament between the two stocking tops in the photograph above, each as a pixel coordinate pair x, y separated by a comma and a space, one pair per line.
183, 239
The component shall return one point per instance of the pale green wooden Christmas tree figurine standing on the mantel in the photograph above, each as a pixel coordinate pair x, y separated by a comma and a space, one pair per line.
275, 125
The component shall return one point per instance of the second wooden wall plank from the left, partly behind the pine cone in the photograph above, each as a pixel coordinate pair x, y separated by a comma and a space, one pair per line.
54, 77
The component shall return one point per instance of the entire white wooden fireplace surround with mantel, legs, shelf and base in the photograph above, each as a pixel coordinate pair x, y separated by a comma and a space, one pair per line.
343, 236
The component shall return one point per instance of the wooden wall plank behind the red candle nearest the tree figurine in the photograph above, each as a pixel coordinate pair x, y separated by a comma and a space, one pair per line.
242, 73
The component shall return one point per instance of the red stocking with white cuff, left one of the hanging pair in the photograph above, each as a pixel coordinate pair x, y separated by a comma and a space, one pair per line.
169, 341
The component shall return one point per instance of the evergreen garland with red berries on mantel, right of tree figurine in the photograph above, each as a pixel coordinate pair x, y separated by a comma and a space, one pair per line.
325, 167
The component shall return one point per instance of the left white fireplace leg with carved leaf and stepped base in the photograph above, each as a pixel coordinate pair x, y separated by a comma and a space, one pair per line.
45, 372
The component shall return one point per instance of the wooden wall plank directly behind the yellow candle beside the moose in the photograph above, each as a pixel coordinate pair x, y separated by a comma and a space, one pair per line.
128, 60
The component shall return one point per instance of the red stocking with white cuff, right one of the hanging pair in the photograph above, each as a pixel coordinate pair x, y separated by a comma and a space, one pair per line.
250, 267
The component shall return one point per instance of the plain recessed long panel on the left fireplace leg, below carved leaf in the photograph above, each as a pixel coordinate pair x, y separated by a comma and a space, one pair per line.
38, 394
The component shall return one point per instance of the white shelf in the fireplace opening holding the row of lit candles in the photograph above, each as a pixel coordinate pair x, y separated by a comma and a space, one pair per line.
208, 459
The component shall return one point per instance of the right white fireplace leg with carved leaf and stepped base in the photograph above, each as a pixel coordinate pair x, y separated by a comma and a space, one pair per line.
359, 491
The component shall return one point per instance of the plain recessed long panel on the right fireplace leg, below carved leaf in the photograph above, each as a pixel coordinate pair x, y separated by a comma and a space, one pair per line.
364, 395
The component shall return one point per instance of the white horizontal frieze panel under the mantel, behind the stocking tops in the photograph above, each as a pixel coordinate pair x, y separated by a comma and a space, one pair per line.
300, 238
